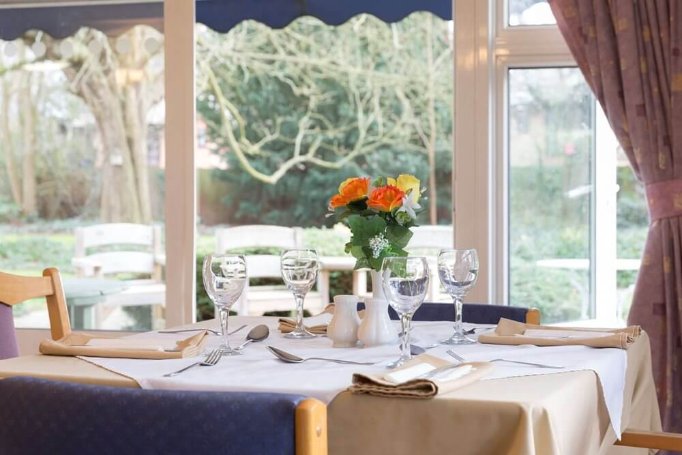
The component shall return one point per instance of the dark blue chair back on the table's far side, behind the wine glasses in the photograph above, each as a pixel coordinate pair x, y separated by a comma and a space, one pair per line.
475, 313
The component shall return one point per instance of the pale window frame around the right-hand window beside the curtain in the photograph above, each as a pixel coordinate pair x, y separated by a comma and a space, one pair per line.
485, 50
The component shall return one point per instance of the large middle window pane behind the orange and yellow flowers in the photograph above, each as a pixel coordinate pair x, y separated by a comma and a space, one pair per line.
286, 115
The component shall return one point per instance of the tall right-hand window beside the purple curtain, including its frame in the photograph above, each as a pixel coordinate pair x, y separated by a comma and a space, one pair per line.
566, 220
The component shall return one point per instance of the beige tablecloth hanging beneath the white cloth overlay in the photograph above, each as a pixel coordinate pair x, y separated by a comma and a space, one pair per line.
544, 414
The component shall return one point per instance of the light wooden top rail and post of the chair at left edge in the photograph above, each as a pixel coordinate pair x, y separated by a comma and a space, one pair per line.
15, 289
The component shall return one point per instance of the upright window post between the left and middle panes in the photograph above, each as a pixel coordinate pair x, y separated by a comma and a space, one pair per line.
180, 209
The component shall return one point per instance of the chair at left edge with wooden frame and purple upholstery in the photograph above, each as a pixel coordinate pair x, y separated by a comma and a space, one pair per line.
15, 289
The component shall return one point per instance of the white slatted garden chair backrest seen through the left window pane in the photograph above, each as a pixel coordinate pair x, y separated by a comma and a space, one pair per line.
101, 250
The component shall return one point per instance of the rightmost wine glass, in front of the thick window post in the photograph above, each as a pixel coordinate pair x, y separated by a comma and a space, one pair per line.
458, 270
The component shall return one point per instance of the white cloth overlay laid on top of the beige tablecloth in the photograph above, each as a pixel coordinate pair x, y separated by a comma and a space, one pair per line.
258, 370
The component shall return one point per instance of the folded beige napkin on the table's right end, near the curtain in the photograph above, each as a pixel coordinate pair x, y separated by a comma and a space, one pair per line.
515, 333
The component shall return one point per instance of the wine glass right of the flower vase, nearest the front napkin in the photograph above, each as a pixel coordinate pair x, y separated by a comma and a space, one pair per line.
405, 281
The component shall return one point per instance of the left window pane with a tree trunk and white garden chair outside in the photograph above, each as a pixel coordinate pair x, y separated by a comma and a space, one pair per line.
82, 145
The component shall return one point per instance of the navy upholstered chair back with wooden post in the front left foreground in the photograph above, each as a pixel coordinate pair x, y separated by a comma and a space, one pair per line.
50, 417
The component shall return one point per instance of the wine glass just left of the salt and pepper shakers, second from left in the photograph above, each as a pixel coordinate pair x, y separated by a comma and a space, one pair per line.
299, 271
